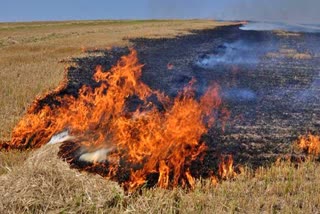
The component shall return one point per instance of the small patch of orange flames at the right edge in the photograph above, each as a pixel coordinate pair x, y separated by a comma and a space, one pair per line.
310, 144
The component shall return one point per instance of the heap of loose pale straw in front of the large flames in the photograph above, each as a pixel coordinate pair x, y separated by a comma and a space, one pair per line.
44, 183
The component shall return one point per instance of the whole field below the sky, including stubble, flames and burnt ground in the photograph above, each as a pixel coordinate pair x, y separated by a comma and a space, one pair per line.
254, 95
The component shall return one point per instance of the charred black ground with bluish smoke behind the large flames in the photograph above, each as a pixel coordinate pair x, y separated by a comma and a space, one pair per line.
273, 98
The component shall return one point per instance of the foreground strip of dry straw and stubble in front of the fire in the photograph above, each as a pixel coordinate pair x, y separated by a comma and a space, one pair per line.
45, 184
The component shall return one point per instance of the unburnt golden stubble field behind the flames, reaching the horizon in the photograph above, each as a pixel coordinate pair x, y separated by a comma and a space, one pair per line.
30, 54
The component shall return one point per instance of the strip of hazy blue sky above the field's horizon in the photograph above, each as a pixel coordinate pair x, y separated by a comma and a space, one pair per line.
303, 11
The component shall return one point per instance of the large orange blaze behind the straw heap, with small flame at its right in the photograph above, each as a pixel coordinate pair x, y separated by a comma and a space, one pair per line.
125, 131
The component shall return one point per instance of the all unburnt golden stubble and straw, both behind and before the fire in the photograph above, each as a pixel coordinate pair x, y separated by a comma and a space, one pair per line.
37, 181
